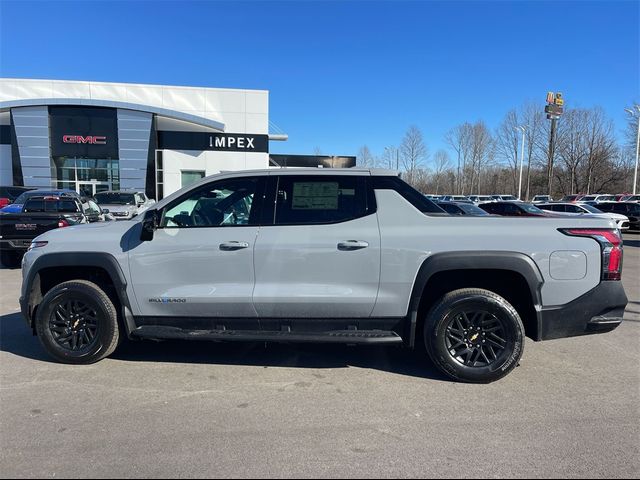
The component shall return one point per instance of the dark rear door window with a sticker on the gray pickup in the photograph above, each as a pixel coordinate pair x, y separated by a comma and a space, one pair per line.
308, 200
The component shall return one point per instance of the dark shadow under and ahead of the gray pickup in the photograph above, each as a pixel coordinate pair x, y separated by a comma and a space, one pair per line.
16, 338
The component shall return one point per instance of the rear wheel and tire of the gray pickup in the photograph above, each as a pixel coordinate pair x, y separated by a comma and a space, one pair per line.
473, 335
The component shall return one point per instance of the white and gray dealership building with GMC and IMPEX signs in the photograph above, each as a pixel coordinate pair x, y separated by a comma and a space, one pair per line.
94, 136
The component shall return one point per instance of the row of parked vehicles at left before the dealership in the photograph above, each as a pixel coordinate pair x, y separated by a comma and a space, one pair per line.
28, 212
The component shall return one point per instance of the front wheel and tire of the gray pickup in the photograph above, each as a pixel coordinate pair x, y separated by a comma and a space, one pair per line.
94, 323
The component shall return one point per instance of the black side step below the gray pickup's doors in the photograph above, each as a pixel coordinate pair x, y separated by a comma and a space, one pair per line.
336, 336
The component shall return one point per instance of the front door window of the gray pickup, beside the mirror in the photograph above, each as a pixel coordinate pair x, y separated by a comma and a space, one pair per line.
220, 204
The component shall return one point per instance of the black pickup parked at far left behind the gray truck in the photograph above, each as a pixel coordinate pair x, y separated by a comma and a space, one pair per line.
40, 214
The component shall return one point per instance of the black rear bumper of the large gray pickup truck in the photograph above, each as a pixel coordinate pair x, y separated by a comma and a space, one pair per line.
597, 311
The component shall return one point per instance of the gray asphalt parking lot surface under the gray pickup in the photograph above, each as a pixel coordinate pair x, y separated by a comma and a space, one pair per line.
571, 409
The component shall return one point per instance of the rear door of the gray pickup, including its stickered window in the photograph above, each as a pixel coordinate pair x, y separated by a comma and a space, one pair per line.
321, 256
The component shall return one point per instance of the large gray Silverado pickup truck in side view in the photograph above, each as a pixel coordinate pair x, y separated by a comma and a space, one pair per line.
342, 256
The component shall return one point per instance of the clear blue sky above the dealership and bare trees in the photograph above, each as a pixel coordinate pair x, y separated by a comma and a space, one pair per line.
344, 74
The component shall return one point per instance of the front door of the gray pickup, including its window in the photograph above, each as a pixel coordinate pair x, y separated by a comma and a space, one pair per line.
200, 260
